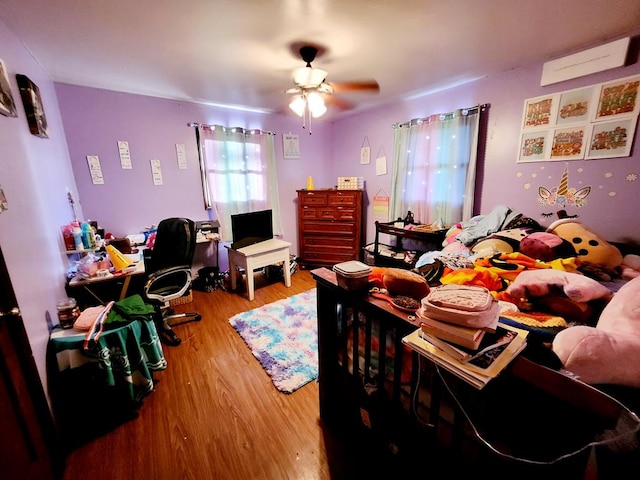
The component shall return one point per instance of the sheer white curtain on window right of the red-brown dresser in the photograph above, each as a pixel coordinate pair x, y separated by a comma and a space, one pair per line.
434, 167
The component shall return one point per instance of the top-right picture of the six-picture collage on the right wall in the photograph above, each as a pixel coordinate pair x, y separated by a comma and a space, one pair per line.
618, 98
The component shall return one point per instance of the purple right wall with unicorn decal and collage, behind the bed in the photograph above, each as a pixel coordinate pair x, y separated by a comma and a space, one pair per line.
615, 183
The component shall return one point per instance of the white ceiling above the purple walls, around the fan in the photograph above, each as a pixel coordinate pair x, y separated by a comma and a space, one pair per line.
237, 52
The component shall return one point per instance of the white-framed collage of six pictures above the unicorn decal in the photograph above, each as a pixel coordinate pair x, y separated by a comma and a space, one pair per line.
597, 121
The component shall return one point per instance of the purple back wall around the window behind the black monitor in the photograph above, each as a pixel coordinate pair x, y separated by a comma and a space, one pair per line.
128, 201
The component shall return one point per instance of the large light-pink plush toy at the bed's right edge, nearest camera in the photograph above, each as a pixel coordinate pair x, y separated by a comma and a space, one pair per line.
608, 353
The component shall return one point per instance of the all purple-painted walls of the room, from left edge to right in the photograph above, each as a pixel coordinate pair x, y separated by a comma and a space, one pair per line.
36, 173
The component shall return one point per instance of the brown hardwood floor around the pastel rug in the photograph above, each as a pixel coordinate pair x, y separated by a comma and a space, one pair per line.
215, 413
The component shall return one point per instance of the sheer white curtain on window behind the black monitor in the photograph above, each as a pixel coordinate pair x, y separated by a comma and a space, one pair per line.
239, 174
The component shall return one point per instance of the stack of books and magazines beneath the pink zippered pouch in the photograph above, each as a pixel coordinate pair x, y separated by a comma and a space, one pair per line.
475, 355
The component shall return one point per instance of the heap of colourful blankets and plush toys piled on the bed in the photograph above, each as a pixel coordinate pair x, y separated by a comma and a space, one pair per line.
567, 271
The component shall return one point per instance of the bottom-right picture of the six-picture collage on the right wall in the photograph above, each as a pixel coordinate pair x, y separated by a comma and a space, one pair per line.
612, 139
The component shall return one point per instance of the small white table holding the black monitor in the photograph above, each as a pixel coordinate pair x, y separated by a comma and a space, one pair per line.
259, 255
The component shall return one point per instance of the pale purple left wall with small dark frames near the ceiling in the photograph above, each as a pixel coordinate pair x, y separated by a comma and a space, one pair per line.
35, 174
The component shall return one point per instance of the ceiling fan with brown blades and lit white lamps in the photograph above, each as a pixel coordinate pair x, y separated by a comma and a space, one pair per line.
312, 91
